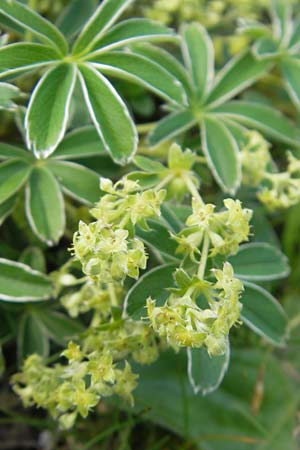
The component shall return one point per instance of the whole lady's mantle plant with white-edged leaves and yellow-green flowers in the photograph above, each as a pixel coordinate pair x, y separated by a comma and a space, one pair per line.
161, 266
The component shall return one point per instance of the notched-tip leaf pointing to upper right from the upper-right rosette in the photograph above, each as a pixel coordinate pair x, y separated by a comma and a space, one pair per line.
238, 74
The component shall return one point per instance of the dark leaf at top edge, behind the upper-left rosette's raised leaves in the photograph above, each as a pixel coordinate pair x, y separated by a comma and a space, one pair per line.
74, 16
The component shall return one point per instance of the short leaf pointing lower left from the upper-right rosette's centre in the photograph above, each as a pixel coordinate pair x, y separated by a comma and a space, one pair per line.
171, 126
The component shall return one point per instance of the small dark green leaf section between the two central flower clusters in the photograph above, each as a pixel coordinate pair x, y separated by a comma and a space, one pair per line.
159, 238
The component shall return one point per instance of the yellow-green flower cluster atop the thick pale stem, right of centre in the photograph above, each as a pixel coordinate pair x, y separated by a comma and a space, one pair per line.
225, 229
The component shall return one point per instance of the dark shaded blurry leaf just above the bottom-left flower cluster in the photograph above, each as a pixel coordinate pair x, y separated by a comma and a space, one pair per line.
59, 327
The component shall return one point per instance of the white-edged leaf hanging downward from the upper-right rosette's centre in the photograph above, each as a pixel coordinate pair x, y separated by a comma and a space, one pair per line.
222, 153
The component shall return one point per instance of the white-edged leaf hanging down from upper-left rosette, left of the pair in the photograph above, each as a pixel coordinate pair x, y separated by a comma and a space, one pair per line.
48, 111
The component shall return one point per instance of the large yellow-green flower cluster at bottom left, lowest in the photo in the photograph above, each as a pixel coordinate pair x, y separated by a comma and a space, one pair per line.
94, 370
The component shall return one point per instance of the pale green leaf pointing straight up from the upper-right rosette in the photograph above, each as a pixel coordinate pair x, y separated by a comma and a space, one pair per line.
198, 53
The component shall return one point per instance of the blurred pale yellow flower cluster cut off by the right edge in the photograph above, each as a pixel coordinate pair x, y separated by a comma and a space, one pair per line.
276, 189
